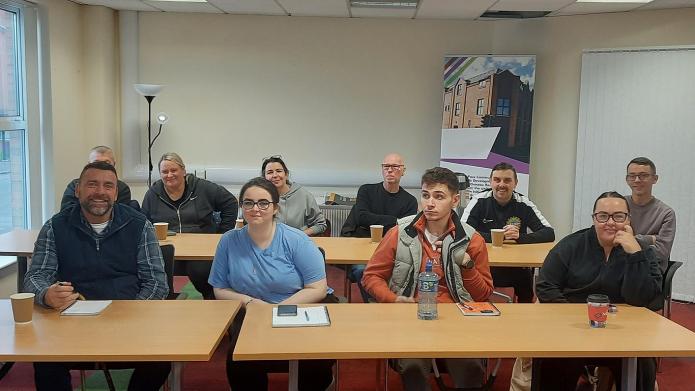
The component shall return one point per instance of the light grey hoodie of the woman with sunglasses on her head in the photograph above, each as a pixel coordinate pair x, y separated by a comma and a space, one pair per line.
298, 209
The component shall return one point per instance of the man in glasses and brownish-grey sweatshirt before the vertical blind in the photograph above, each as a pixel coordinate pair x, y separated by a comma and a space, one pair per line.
653, 221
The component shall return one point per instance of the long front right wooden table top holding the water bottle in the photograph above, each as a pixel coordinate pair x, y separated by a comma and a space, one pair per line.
360, 331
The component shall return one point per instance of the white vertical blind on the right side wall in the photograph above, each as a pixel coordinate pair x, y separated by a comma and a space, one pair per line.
640, 102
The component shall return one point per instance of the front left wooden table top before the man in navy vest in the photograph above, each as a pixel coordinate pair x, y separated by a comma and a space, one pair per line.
138, 330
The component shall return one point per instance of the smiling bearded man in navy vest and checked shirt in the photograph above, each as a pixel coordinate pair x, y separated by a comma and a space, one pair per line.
101, 250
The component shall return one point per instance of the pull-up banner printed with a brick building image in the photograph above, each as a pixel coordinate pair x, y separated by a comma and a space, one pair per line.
486, 115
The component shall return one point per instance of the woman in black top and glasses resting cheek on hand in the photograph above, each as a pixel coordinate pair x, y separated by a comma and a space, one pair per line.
603, 259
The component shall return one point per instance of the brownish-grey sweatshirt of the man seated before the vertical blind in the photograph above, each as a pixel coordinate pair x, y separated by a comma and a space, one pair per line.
654, 218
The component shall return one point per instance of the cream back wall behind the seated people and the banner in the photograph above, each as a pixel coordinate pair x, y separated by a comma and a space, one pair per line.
233, 81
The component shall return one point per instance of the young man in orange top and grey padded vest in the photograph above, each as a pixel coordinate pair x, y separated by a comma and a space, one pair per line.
459, 258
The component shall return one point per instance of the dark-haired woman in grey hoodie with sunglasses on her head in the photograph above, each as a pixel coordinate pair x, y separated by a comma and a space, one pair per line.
298, 207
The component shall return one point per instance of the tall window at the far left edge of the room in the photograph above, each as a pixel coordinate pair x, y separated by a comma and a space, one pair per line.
13, 122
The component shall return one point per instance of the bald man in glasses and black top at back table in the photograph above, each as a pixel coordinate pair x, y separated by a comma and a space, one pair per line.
379, 203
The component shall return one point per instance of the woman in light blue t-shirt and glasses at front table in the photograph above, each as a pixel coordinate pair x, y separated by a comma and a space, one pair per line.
268, 262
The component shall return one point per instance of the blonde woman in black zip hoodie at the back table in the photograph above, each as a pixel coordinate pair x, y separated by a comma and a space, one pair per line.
188, 204
